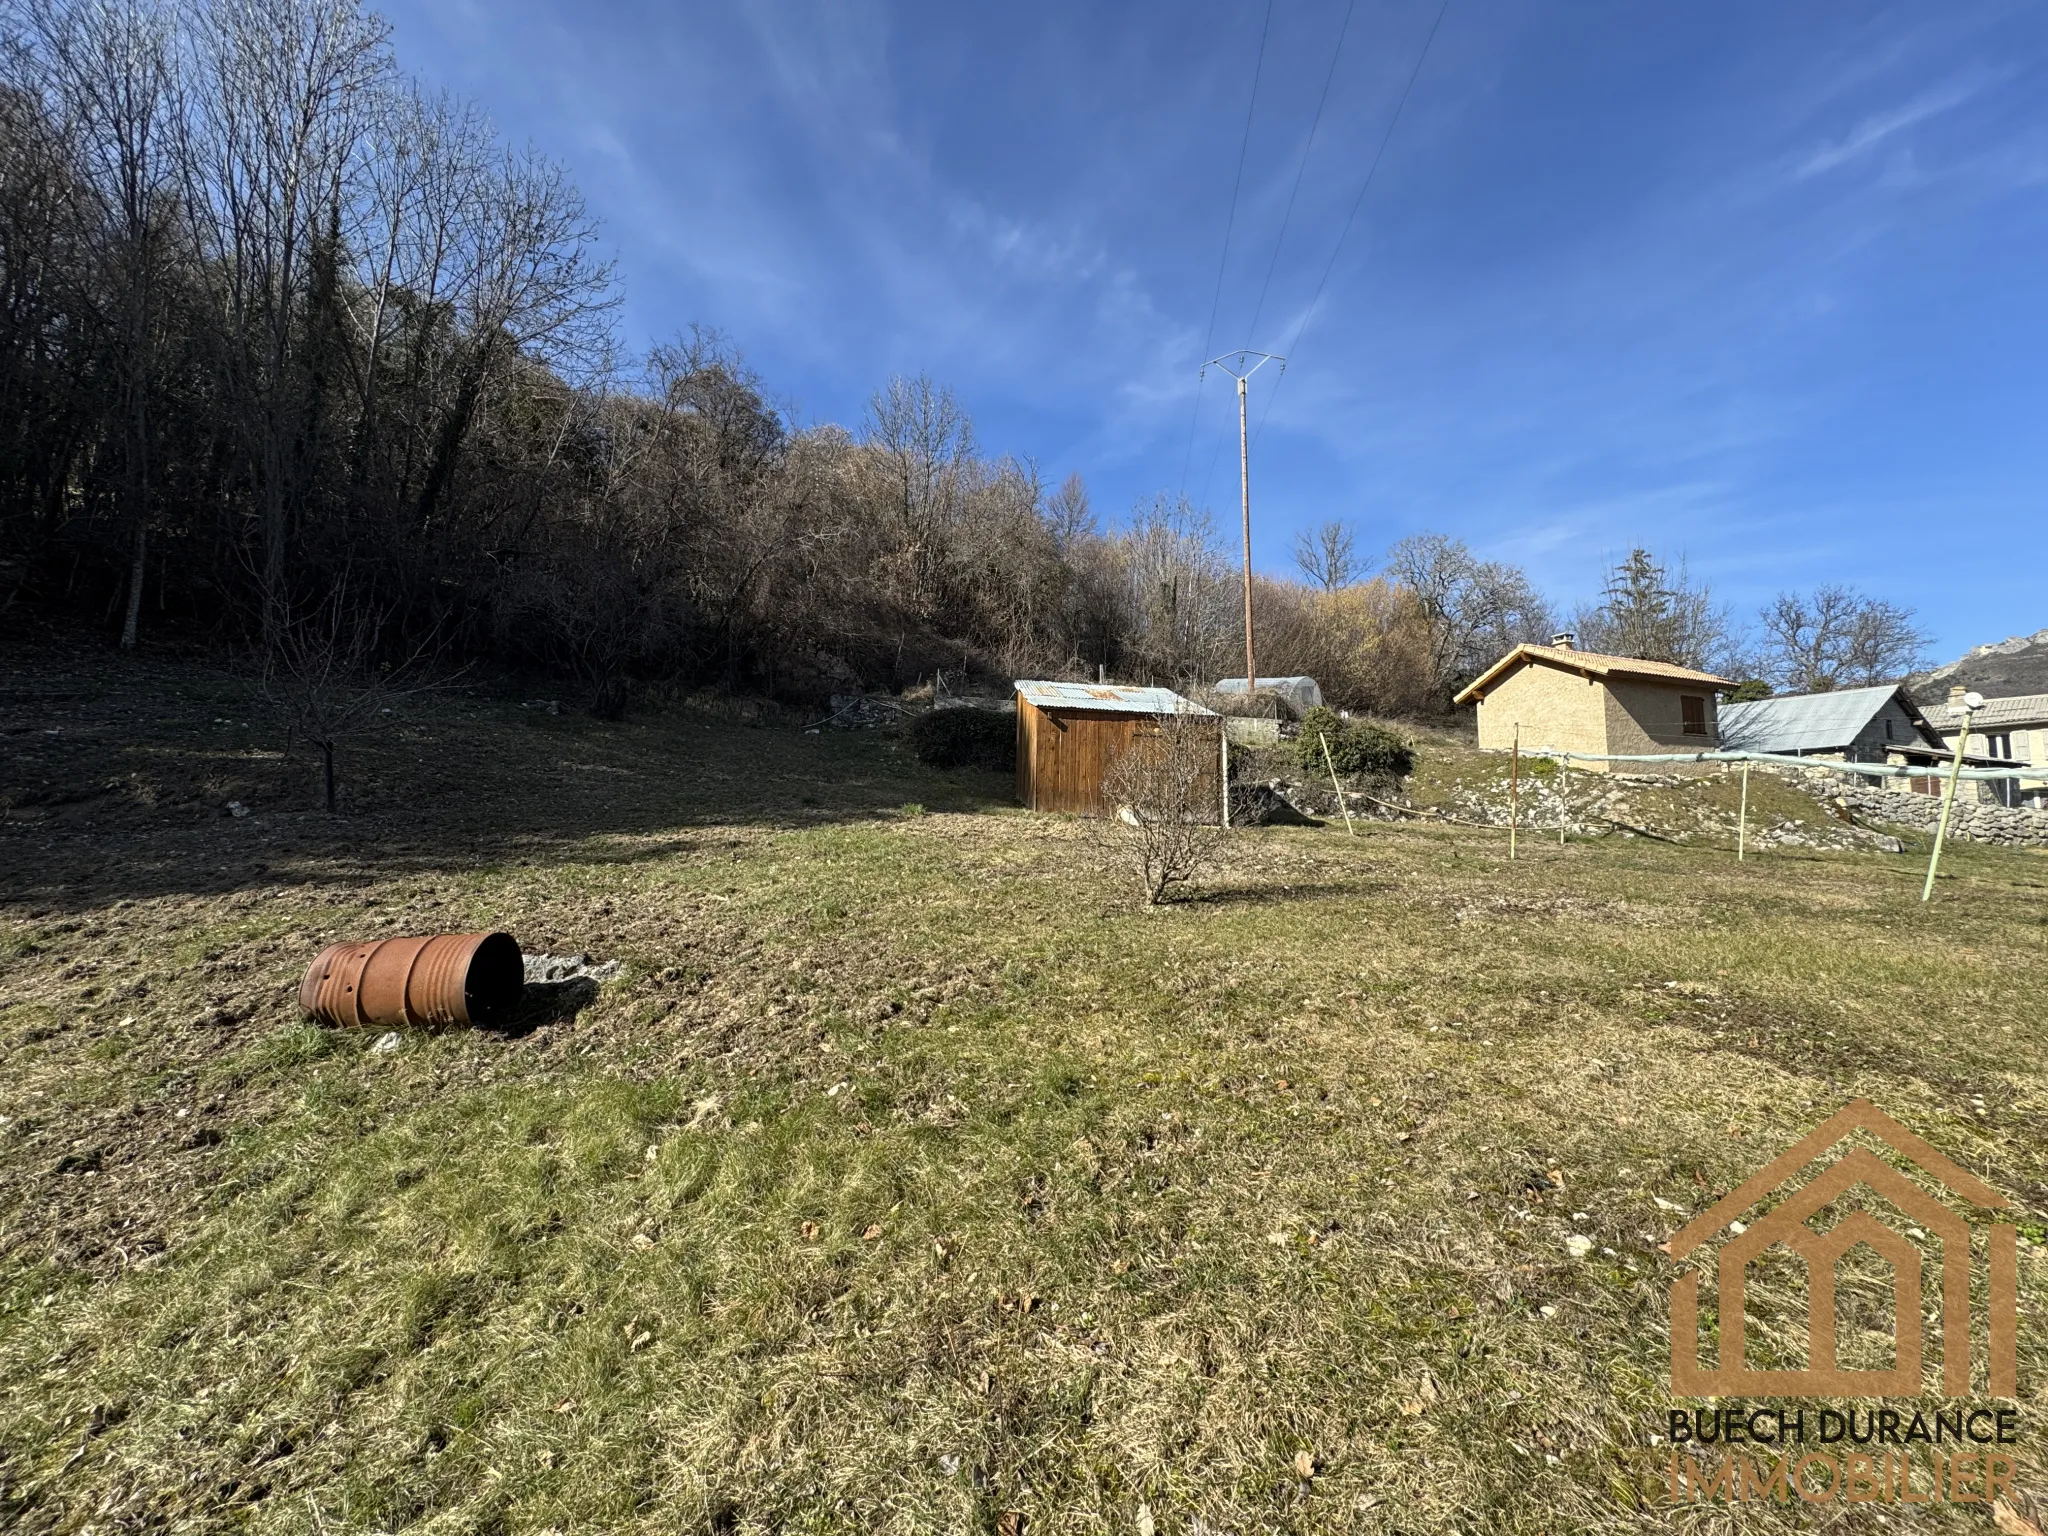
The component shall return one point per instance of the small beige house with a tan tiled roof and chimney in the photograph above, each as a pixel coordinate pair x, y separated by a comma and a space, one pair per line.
1580, 701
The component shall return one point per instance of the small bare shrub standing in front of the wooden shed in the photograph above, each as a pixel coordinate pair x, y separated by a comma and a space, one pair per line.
1166, 798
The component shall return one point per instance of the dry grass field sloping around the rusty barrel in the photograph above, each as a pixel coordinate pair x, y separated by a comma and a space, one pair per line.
910, 1177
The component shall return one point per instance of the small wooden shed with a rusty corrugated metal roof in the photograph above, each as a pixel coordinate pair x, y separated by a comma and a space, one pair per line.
1072, 732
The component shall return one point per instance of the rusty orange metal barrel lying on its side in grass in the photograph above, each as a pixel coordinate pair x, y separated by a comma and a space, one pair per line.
423, 982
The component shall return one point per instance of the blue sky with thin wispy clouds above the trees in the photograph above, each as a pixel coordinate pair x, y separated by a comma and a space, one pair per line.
1754, 284
